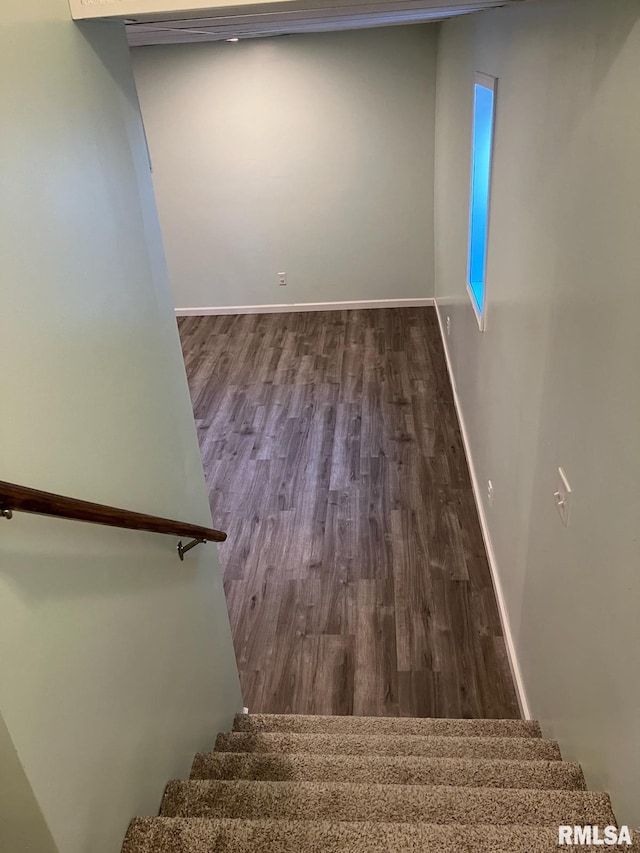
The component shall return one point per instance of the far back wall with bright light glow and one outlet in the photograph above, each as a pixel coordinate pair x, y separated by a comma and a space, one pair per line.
308, 154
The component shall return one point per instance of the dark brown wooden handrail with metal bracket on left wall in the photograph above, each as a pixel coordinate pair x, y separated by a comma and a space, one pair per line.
22, 499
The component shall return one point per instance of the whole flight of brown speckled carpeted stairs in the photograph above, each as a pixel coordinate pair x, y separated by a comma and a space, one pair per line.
301, 784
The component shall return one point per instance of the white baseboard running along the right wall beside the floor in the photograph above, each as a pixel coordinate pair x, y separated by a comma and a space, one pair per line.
486, 535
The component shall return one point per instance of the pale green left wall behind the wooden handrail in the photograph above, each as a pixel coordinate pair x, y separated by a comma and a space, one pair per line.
116, 661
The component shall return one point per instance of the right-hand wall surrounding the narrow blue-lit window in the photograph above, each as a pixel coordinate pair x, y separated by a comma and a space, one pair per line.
553, 381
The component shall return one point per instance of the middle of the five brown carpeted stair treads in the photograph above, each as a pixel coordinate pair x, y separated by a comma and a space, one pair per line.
415, 770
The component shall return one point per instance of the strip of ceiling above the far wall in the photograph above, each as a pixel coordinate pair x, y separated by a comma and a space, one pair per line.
294, 16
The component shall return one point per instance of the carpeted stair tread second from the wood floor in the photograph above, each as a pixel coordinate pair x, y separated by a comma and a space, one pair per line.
389, 744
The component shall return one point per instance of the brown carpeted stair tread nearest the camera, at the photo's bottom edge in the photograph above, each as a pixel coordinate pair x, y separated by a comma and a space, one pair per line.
201, 835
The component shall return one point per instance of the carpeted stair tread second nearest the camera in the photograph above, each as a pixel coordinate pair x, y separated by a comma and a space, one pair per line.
354, 802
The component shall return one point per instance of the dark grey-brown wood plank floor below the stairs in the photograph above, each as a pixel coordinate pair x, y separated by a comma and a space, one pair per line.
355, 571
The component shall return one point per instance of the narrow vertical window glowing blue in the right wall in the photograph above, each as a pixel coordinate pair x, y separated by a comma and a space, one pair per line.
484, 92
